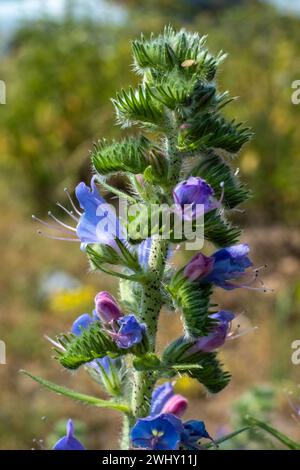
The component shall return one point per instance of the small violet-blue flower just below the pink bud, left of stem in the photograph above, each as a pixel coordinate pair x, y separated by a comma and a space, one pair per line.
130, 332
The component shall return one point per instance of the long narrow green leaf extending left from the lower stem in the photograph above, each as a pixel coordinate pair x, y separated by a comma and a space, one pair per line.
86, 399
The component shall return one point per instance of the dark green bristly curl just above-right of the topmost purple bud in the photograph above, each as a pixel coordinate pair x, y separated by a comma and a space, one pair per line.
215, 171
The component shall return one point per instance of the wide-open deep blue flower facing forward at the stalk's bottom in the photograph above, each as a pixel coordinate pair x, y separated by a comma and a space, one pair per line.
162, 432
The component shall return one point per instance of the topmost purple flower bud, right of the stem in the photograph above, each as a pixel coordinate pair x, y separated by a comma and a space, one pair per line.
195, 191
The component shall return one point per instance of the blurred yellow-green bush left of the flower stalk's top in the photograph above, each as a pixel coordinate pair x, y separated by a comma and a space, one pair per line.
60, 76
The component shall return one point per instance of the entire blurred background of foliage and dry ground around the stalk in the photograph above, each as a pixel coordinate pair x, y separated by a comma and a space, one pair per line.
61, 62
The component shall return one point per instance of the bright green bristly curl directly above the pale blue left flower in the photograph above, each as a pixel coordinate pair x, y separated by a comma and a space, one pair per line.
129, 155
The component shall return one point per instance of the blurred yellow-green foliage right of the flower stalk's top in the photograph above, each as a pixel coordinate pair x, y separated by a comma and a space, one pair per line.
264, 62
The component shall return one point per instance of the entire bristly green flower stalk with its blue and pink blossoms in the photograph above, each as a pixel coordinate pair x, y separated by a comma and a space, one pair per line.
181, 158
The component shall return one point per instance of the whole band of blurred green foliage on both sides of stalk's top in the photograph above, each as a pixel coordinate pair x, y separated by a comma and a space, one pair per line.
61, 74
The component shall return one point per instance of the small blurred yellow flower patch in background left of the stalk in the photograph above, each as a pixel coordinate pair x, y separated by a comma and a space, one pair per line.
79, 299
